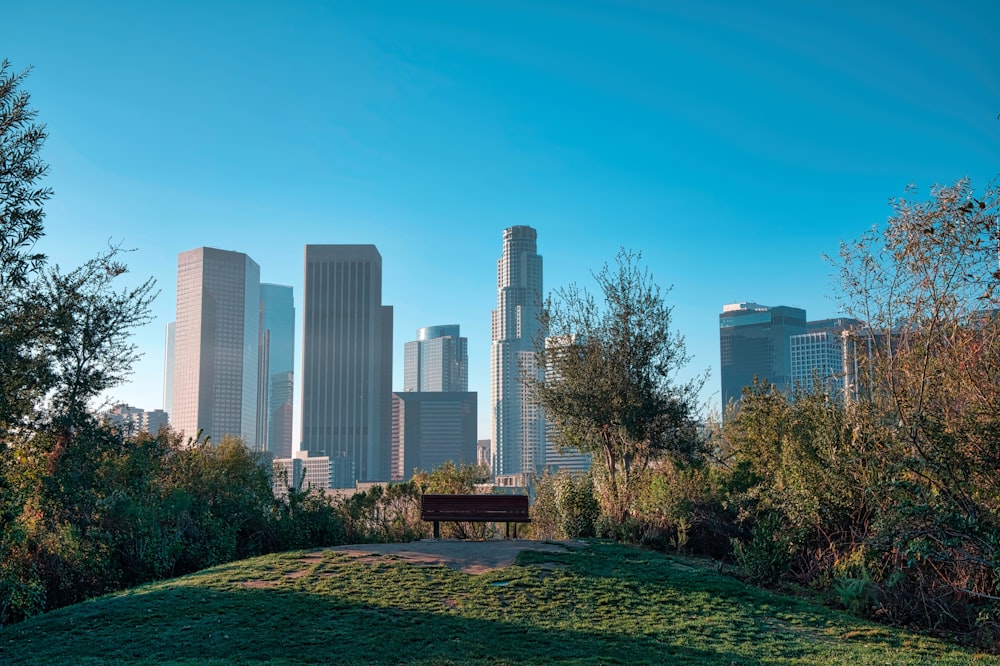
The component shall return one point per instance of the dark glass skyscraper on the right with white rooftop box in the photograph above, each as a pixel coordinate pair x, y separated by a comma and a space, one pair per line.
755, 341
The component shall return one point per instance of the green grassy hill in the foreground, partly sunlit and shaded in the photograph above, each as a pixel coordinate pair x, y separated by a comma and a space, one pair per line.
604, 604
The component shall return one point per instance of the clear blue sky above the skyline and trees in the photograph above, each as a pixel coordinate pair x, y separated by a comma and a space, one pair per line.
732, 144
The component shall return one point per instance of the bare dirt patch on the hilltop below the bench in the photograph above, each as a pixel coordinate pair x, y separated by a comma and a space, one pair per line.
469, 556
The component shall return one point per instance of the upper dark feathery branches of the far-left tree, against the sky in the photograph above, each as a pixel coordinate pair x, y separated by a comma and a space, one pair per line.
63, 335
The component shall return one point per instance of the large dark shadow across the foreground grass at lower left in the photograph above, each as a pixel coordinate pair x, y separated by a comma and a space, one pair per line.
193, 624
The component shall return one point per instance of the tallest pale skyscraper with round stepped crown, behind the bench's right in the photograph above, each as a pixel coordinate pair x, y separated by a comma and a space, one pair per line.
518, 429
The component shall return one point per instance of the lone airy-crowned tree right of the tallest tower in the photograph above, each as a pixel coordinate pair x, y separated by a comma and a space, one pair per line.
609, 384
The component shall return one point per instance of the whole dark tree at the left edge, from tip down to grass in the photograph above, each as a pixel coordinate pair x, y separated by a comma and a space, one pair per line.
64, 339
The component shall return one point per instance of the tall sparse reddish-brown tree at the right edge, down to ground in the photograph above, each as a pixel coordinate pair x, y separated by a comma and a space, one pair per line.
927, 288
